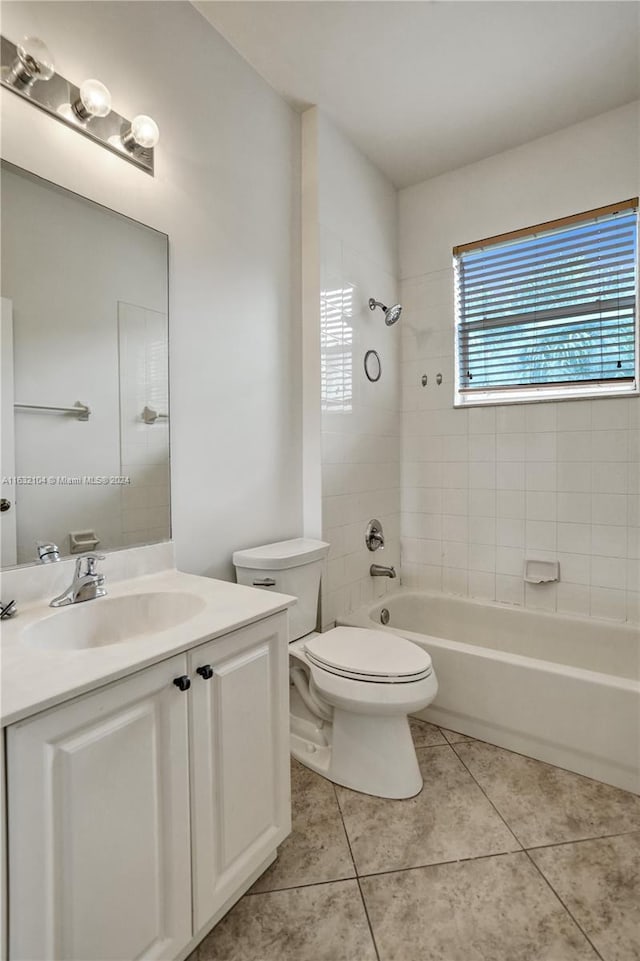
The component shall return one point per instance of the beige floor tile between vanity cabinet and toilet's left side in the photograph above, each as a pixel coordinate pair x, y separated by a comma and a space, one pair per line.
317, 848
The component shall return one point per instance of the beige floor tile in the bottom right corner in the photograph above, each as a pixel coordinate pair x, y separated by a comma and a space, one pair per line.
599, 881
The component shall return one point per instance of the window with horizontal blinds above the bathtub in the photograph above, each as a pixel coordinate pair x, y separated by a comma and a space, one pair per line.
550, 311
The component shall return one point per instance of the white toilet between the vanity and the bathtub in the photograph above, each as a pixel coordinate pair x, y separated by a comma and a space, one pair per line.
351, 688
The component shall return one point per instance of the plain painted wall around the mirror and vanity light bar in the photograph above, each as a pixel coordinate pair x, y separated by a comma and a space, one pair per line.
226, 191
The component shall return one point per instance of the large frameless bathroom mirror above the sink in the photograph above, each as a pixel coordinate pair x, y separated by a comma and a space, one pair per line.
85, 394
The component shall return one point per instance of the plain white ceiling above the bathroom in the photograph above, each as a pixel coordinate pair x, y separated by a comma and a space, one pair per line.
424, 87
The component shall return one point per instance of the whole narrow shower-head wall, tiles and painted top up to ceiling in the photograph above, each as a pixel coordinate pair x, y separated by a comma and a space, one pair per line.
360, 421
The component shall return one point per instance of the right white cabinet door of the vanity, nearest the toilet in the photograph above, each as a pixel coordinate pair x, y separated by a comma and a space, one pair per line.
241, 805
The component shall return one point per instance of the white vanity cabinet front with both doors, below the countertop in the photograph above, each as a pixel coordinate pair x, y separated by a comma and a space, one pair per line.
140, 812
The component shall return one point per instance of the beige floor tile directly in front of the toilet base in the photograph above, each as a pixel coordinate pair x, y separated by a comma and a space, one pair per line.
449, 819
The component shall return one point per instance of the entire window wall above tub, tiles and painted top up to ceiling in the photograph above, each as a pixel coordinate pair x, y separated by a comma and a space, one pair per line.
483, 488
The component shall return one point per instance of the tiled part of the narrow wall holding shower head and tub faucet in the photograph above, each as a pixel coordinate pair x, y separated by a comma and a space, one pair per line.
360, 428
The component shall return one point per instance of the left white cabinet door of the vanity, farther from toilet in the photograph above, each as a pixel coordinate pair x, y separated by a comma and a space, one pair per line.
99, 824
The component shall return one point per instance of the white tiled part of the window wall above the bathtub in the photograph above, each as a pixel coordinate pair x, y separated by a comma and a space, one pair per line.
485, 488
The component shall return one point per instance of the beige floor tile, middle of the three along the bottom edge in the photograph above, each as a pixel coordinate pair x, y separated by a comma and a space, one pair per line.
493, 909
